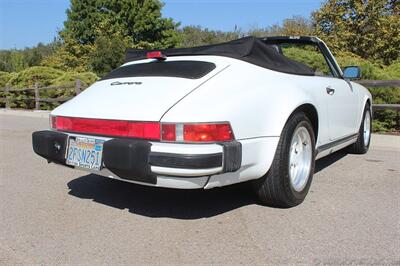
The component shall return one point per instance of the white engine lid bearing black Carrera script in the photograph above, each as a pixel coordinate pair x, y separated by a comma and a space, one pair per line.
145, 102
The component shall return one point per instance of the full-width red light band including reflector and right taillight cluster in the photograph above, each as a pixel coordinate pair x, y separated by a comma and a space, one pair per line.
170, 132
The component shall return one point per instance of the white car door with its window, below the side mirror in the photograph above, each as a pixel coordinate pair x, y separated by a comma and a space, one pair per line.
329, 88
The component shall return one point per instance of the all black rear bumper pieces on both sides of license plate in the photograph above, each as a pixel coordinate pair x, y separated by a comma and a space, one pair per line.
132, 159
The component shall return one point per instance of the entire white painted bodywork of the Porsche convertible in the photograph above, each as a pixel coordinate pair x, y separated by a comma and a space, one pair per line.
257, 105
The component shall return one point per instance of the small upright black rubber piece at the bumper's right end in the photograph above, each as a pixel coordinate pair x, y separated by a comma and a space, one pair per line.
232, 156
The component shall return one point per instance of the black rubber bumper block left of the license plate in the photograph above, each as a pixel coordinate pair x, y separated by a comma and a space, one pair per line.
50, 145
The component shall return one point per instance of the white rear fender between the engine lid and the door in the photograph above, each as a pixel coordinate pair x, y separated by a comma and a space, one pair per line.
255, 107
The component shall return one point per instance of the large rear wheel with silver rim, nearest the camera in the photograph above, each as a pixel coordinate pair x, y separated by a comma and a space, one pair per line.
282, 186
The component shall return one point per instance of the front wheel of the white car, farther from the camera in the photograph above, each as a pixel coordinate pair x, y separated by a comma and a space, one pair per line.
361, 146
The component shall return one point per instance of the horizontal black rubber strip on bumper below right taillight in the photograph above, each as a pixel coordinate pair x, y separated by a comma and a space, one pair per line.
186, 161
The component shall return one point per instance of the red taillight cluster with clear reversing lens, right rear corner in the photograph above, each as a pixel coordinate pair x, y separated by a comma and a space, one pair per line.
197, 132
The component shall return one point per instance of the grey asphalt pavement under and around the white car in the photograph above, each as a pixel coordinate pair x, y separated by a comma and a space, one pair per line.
55, 215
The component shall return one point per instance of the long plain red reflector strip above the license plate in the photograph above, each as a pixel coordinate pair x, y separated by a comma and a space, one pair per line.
114, 128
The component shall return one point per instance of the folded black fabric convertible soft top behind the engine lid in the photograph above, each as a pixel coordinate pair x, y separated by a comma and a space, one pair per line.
249, 49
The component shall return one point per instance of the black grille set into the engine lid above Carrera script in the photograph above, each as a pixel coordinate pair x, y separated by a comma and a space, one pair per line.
178, 69
